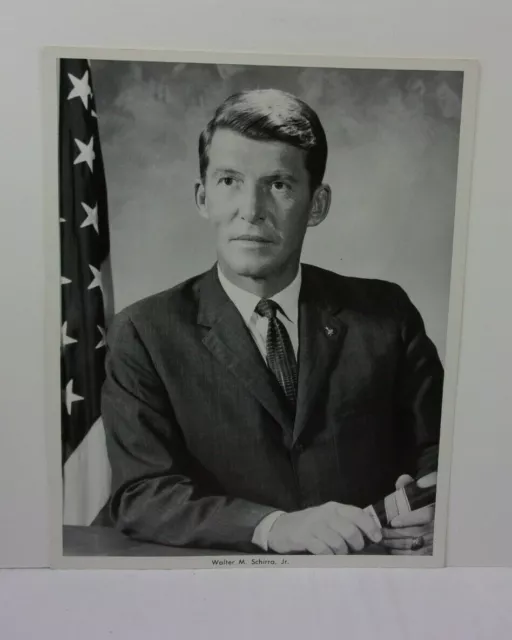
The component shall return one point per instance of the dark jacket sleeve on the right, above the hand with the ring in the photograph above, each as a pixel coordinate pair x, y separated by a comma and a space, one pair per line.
420, 391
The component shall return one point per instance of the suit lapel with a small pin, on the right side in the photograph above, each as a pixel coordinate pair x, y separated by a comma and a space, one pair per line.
321, 336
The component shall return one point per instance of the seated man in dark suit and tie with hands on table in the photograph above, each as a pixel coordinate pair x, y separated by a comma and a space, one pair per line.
264, 403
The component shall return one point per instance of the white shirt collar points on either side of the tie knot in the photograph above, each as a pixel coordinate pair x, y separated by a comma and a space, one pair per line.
245, 302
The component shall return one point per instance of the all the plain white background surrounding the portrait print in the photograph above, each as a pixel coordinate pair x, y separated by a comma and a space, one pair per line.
431, 604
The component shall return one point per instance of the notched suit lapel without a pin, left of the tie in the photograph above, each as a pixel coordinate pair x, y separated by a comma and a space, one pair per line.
230, 342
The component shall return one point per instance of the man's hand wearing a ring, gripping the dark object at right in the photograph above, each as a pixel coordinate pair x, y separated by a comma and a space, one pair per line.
404, 529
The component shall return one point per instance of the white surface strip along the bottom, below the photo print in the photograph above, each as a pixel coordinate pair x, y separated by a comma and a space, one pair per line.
406, 604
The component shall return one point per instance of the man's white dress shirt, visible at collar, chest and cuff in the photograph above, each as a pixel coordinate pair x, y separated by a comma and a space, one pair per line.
245, 302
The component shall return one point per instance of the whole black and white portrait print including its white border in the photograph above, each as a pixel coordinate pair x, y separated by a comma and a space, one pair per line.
254, 299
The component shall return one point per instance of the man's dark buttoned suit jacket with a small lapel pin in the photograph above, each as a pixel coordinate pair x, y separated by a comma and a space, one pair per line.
200, 440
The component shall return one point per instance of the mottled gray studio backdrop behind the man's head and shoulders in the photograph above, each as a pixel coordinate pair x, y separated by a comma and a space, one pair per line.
393, 147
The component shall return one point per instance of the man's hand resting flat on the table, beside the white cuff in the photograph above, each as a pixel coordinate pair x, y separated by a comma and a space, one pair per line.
331, 528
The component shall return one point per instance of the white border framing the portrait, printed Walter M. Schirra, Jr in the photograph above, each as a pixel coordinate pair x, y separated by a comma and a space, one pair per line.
49, 62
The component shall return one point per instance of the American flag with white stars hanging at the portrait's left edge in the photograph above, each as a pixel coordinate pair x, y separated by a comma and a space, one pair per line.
84, 246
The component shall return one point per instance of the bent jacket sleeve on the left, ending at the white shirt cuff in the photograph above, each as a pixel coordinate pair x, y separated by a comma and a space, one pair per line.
156, 495
